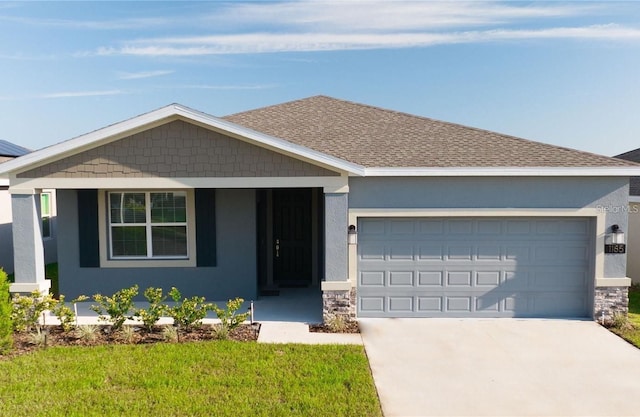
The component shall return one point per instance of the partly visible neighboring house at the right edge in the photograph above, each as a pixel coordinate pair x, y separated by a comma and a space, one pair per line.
633, 209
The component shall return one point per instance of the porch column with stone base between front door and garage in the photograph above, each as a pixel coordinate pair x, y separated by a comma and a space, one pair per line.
338, 294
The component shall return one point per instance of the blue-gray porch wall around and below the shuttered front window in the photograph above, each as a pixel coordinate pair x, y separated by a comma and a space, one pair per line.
234, 275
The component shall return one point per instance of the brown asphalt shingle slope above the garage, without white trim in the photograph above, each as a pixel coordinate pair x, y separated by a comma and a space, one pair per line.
376, 137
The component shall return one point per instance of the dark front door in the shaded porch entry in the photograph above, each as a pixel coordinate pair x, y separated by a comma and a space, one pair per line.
292, 237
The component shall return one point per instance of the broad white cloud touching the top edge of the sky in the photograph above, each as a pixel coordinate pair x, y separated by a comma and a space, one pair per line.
386, 15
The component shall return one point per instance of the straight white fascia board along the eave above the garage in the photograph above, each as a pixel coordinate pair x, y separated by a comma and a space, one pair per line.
505, 172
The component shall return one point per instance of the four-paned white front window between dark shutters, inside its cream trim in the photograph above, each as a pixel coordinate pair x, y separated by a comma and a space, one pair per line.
148, 225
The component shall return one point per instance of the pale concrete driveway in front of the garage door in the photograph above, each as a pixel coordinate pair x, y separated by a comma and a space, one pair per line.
501, 367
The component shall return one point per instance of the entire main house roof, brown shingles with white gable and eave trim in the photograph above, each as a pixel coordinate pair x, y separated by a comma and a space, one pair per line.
359, 140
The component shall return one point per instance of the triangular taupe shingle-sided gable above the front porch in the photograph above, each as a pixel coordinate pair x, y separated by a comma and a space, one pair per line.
177, 149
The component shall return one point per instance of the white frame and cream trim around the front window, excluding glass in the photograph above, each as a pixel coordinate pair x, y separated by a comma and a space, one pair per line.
104, 234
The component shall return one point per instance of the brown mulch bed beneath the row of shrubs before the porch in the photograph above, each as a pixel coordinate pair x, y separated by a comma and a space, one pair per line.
55, 336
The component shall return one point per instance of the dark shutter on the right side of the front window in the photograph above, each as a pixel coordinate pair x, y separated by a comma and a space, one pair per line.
205, 226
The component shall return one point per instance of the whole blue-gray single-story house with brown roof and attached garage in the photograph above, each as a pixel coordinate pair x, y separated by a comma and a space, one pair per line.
390, 214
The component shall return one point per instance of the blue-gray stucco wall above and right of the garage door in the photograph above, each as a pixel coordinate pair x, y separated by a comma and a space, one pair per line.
608, 194
